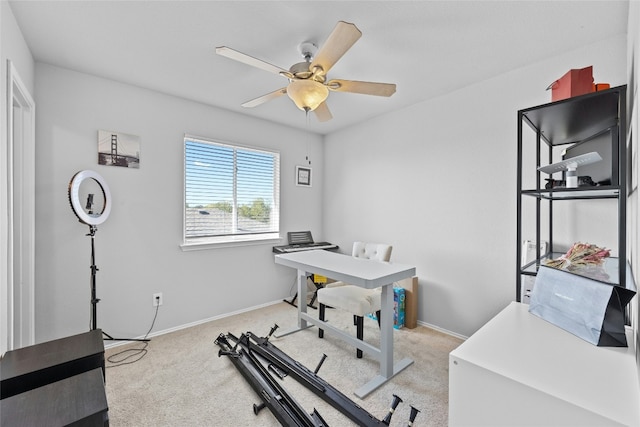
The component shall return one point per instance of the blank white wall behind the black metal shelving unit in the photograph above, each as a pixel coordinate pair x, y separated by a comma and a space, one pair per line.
437, 180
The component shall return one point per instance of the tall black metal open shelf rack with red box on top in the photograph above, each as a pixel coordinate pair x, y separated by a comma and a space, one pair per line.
594, 122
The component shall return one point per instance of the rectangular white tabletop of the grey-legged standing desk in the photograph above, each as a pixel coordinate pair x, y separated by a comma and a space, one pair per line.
355, 271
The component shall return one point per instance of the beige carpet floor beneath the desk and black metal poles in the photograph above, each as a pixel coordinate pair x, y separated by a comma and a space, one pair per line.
181, 381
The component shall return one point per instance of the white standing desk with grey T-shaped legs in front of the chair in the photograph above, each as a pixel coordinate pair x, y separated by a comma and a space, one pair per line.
360, 272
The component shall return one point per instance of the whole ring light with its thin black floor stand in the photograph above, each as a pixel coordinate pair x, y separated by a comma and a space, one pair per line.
86, 214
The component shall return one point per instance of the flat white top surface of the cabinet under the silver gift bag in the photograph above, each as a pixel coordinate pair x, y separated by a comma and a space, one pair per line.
533, 352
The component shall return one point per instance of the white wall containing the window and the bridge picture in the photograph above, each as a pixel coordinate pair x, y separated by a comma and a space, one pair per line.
137, 248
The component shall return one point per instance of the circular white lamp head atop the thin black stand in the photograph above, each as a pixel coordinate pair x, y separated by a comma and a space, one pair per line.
84, 208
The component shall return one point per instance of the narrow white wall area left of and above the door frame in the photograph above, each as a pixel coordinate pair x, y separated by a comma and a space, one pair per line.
12, 47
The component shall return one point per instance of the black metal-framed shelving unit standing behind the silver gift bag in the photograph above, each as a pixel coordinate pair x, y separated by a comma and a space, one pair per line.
595, 118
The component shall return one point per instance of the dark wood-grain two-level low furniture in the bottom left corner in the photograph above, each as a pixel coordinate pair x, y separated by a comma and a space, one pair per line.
55, 383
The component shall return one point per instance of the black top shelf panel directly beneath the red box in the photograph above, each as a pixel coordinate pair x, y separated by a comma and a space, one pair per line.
576, 119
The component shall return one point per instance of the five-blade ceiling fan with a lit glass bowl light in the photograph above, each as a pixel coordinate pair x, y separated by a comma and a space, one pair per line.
308, 86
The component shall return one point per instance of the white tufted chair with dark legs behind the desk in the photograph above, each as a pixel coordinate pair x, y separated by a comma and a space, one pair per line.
355, 299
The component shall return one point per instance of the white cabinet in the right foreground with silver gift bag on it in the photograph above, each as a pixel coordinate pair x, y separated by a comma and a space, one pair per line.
521, 370
